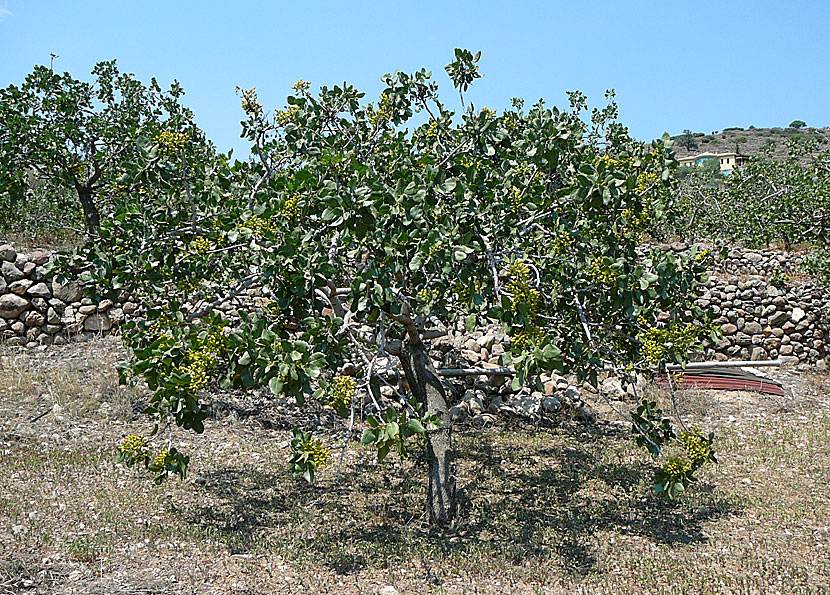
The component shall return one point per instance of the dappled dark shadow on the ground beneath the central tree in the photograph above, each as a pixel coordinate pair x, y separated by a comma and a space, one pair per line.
540, 501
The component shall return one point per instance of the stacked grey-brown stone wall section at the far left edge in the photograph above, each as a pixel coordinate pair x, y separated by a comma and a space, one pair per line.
36, 310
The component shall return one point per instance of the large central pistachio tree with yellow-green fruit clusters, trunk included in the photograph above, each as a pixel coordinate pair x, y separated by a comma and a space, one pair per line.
359, 230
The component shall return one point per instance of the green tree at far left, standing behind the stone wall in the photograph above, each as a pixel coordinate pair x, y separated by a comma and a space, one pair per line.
61, 134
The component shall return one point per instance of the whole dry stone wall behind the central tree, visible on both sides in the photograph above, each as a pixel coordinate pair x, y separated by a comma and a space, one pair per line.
760, 319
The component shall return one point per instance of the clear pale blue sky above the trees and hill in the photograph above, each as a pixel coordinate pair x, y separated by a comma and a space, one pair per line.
679, 64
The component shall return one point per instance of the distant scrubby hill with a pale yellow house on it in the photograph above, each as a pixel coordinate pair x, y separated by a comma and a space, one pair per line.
750, 141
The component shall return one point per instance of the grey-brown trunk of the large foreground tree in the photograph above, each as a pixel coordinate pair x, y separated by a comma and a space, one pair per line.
427, 388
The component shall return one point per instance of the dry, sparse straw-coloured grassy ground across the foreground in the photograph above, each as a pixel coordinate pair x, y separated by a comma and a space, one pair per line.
545, 511
